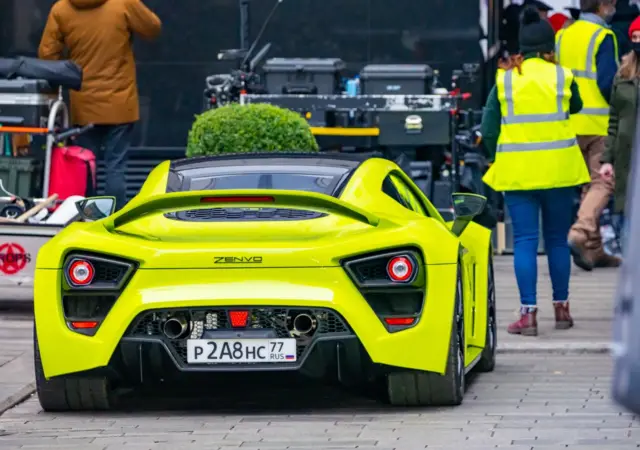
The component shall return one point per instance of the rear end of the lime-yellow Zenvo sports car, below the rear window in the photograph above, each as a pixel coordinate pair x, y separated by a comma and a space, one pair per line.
159, 291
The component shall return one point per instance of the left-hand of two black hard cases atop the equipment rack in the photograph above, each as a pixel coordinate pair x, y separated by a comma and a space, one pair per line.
307, 76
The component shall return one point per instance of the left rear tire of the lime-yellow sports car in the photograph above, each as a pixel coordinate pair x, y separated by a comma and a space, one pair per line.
67, 393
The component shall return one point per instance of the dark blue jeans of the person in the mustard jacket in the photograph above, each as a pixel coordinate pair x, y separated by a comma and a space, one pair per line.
111, 143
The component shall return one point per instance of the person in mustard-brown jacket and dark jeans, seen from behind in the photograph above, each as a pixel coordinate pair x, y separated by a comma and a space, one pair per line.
98, 36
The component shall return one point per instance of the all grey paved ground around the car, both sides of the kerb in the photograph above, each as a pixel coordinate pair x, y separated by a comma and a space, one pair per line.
549, 392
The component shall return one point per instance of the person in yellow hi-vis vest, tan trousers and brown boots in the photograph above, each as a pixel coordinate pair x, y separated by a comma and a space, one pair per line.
589, 48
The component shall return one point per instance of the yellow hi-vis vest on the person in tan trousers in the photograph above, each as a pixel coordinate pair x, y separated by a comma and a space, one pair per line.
576, 48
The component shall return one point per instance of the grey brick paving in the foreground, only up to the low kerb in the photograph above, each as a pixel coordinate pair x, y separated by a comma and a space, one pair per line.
531, 402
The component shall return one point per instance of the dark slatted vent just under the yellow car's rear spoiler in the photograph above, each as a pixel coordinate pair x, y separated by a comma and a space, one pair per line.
244, 214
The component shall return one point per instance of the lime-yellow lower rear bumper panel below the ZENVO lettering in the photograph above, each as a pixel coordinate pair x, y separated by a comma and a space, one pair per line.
422, 347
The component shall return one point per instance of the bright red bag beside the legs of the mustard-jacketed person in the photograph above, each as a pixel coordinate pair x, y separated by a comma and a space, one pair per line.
73, 172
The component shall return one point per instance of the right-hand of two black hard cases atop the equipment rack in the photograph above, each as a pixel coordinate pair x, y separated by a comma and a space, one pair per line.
396, 79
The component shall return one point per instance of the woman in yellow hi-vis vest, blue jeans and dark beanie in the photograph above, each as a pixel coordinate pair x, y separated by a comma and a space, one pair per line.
538, 164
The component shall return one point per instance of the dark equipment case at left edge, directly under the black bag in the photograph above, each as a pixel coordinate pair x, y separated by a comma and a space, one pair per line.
25, 102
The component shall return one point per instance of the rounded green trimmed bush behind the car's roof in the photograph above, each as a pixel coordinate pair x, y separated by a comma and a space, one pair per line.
251, 128
